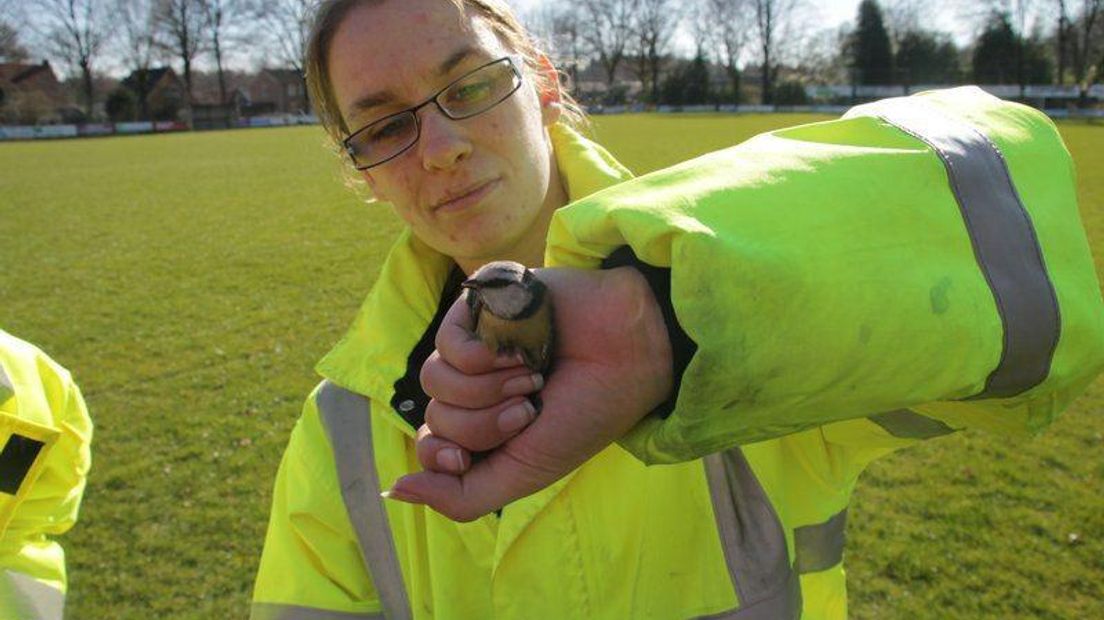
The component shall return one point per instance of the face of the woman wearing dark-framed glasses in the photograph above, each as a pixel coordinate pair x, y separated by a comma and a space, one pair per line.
479, 189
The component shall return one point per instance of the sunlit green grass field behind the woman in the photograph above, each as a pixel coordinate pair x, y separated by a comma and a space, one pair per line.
190, 283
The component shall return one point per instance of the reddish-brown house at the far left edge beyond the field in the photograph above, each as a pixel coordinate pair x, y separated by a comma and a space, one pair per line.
30, 94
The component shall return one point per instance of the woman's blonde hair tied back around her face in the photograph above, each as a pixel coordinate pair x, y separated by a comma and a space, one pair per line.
331, 14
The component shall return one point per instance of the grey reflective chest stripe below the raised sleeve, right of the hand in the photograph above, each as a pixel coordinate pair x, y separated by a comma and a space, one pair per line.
755, 542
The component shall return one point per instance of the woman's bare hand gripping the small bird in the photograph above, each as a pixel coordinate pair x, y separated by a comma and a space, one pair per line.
612, 367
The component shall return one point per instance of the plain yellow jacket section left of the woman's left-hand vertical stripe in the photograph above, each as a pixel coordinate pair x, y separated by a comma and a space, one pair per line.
312, 565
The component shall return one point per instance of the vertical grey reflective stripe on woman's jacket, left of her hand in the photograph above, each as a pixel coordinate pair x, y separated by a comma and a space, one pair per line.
347, 419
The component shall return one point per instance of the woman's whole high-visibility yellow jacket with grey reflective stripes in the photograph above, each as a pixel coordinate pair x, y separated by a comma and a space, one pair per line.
747, 520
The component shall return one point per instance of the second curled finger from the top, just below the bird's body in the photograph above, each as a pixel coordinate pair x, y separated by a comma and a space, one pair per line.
444, 382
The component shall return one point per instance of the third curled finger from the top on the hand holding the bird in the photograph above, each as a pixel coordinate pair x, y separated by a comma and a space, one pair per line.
479, 430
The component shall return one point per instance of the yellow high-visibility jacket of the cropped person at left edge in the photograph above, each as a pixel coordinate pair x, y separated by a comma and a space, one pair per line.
45, 458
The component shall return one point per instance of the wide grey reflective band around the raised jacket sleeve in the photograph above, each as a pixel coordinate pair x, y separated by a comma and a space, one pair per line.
1004, 241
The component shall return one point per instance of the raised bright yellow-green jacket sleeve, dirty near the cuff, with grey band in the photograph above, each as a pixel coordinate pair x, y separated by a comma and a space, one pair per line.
831, 272
